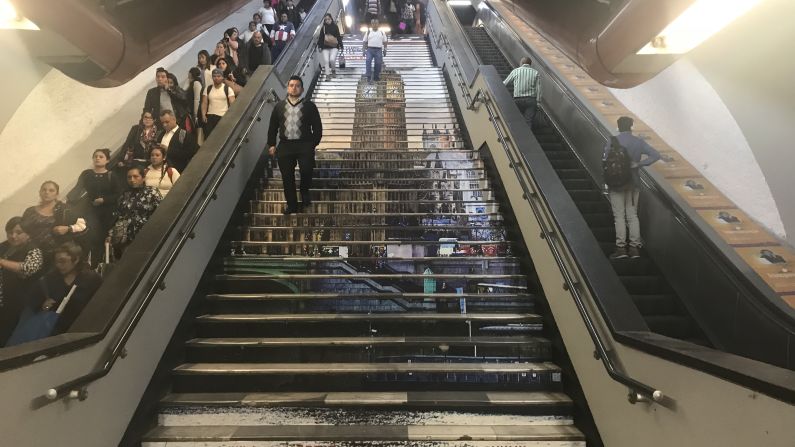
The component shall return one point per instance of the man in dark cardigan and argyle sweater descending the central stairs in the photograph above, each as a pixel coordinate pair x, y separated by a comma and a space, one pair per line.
300, 130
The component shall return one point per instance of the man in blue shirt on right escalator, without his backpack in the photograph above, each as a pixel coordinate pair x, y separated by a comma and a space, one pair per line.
624, 200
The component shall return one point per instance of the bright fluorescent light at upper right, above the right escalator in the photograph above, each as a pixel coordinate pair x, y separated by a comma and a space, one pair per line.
700, 21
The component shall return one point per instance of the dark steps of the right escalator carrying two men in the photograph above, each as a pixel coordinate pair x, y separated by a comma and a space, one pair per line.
655, 299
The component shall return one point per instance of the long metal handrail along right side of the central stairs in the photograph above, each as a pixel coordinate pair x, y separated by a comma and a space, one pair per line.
638, 391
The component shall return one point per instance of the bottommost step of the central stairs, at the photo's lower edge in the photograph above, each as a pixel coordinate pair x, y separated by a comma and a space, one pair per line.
326, 435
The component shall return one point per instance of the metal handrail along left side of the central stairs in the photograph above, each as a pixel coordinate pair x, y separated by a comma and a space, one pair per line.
73, 387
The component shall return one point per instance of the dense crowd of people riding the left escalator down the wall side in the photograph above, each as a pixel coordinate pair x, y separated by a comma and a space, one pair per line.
54, 250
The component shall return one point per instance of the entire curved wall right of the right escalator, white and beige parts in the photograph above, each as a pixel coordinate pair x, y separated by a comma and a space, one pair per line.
727, 107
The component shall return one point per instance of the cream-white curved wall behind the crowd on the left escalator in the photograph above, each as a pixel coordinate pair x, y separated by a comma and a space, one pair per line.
54, 130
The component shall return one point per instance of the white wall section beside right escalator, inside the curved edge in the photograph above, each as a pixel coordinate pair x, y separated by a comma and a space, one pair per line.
684, 109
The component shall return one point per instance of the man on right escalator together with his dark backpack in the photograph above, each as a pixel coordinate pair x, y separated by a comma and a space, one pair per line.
621, 161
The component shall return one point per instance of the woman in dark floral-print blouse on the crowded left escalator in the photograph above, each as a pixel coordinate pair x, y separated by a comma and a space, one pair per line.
135, 207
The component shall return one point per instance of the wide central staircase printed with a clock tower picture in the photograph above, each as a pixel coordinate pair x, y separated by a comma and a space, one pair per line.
395, 311
